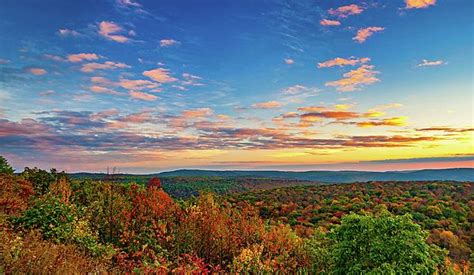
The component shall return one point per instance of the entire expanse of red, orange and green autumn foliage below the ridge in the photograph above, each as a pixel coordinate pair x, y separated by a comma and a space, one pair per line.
91, 226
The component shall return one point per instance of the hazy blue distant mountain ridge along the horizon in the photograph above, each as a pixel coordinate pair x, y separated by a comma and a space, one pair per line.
454, 174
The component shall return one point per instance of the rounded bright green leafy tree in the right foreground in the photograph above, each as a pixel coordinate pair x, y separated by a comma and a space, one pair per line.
383, 244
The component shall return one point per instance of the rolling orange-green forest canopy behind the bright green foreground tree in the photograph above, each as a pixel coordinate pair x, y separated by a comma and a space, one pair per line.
310, 207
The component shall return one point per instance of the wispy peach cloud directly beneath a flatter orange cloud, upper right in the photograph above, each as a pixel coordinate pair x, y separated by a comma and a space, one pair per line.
355, 79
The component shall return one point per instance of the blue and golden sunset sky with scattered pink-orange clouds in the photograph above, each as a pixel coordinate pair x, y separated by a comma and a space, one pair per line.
148, 86
